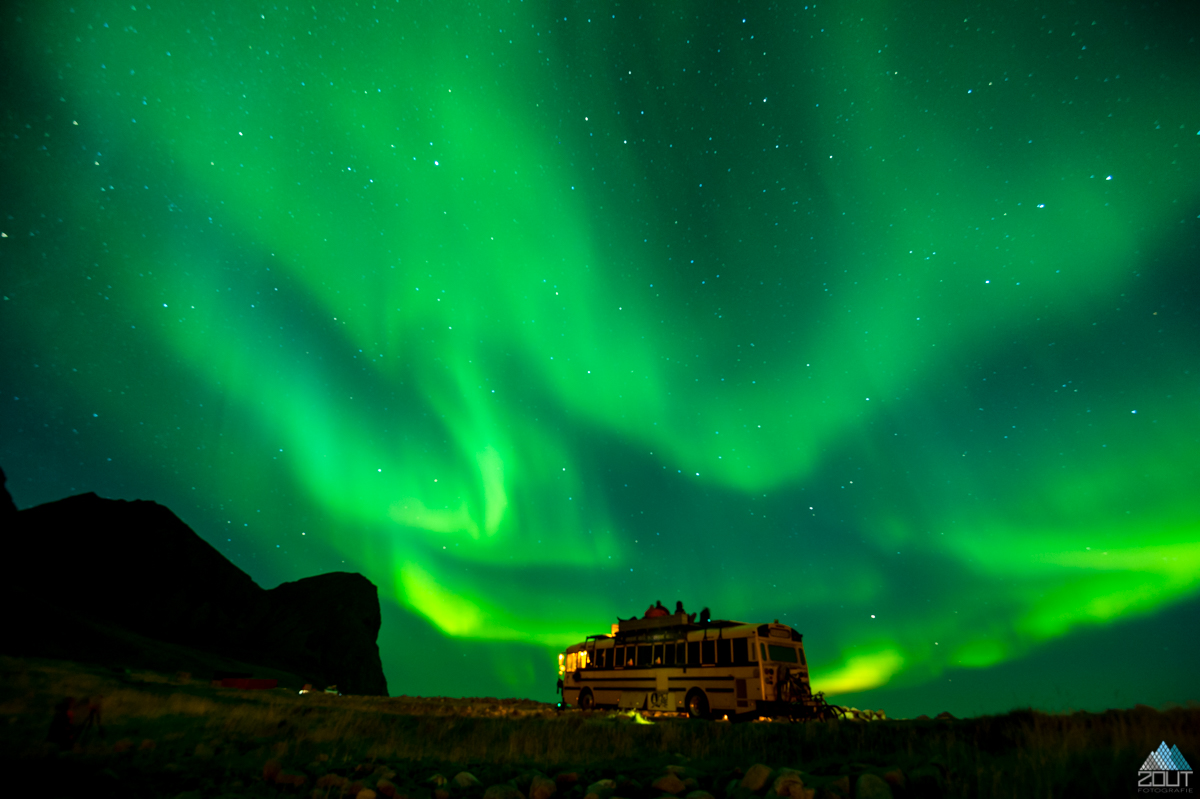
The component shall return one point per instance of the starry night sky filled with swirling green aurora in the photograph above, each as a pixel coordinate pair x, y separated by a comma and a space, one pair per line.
875, 319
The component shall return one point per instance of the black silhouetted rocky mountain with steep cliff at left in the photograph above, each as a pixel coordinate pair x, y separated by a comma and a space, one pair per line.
128, 584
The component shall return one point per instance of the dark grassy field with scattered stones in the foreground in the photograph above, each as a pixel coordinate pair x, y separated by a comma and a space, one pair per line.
169, 736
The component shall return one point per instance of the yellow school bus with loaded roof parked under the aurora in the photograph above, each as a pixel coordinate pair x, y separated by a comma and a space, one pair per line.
706, 669
